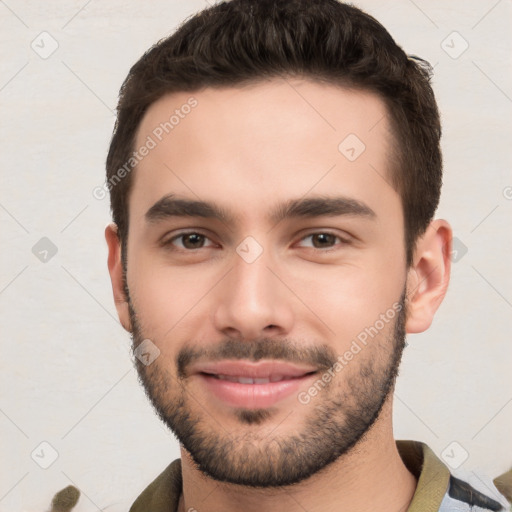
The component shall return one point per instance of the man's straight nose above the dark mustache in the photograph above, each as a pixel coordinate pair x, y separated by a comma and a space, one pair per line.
251, 302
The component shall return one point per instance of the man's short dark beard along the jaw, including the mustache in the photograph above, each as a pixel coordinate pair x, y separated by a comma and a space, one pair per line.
336, 420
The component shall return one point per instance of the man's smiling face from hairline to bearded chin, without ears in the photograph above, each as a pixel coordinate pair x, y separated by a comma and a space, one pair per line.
266, 263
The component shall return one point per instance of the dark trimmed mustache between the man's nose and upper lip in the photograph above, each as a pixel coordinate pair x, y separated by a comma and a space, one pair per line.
321, 356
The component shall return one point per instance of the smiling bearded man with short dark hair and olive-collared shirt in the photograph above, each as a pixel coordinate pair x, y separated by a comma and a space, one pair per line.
274, 173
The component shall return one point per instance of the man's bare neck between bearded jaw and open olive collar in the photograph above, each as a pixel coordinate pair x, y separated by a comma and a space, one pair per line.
371, 476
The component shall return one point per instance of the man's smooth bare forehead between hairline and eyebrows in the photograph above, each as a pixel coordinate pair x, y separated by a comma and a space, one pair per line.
245, 145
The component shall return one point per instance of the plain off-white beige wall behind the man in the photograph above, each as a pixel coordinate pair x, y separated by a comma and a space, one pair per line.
66, 375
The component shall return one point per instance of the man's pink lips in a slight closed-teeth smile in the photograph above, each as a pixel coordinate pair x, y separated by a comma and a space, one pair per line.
249, 385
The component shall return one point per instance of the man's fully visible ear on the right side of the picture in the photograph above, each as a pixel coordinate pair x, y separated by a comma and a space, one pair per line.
428, 276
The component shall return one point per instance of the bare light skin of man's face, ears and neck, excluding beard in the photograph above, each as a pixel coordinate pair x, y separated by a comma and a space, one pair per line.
248, 149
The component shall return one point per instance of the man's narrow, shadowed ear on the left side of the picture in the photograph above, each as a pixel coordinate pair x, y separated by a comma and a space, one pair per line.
115, 268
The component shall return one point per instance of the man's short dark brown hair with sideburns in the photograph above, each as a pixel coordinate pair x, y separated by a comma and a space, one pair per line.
244, 41
